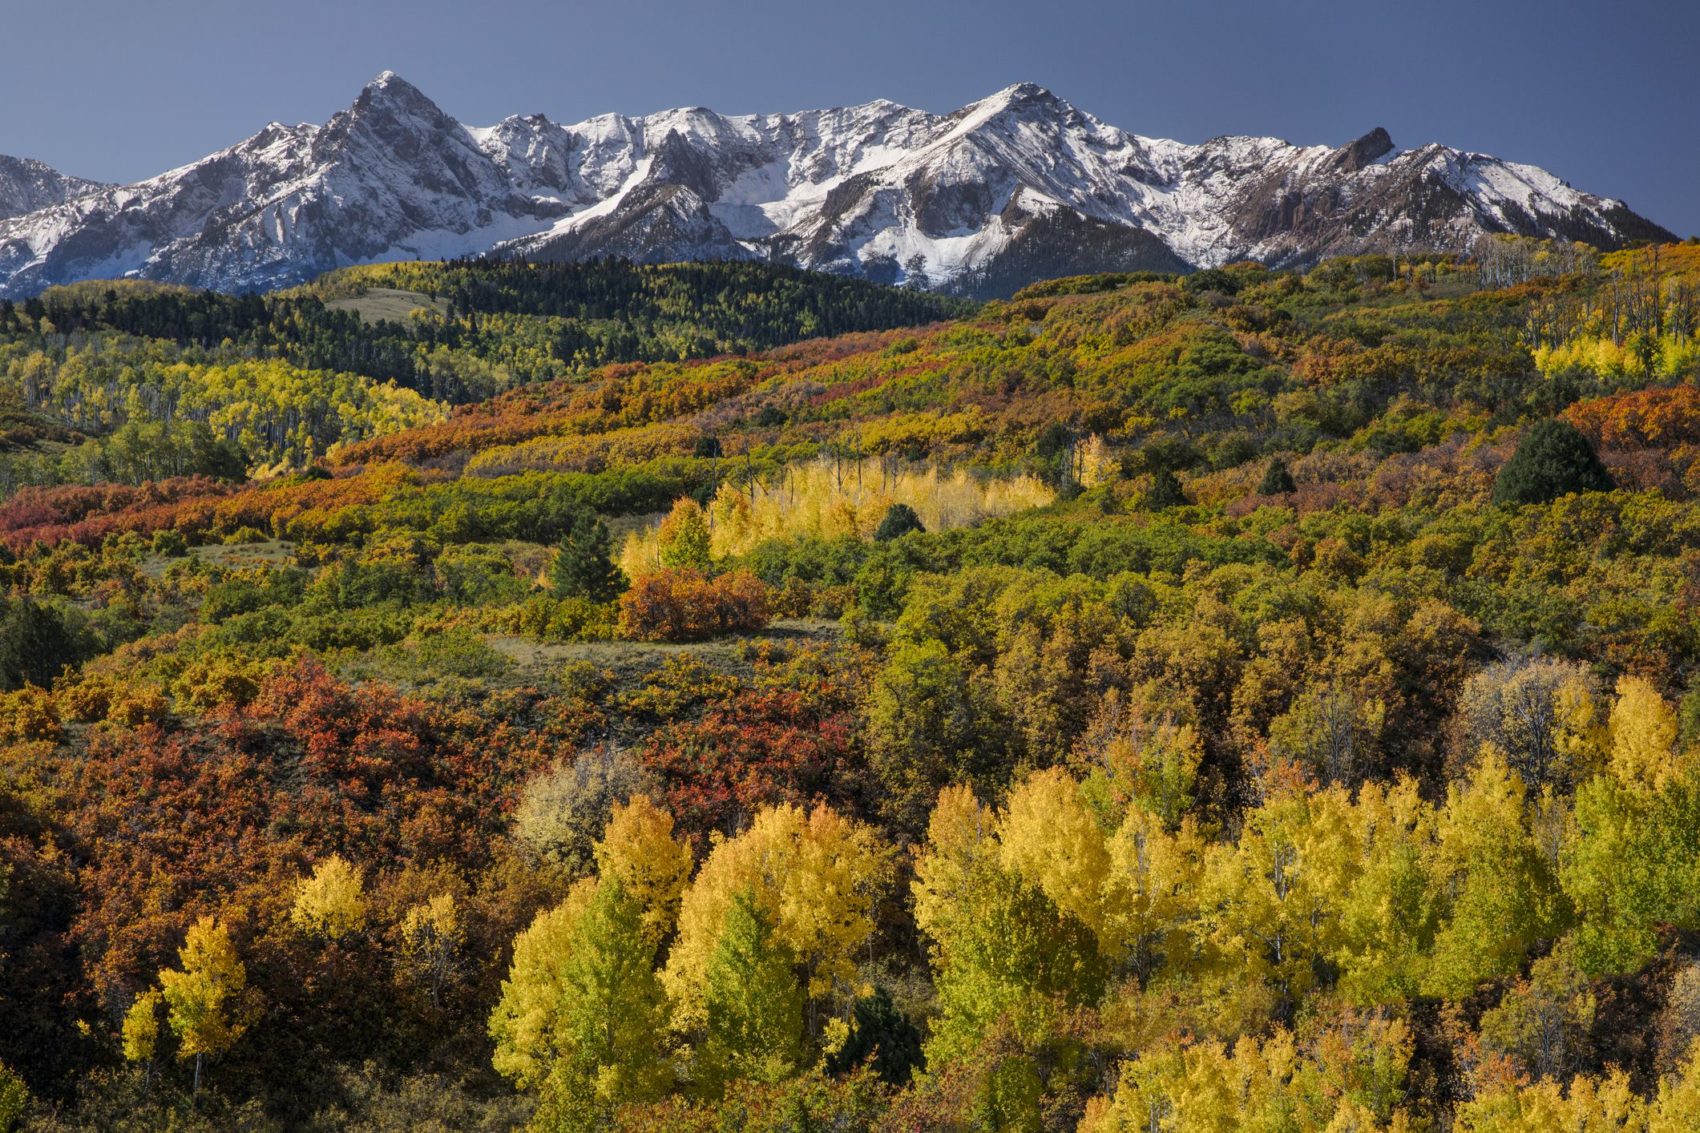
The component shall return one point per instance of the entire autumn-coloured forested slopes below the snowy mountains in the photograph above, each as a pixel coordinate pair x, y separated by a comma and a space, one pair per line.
490, 697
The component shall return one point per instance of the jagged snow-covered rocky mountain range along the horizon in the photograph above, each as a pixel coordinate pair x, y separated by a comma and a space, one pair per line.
1014, 188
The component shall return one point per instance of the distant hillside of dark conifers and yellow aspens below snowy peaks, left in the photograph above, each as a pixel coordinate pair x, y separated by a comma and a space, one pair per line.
128, 382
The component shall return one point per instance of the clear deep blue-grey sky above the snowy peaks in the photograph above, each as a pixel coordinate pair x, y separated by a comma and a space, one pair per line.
1606, 94
